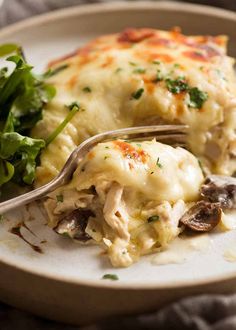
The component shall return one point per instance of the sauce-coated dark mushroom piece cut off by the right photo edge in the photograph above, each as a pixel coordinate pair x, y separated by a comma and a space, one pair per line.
220, 189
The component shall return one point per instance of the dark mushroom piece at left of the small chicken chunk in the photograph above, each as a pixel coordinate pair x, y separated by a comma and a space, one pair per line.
74, 224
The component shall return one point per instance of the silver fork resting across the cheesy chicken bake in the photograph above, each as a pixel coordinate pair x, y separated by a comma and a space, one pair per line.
170, 134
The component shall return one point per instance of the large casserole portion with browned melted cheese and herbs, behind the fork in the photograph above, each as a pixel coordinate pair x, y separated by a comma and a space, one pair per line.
121, 80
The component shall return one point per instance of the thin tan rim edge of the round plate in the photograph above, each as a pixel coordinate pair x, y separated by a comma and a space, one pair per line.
80, 10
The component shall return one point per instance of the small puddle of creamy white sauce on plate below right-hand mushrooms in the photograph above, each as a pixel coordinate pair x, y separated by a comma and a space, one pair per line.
182, 249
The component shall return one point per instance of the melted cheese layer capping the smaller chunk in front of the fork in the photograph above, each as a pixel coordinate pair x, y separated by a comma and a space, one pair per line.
154, 170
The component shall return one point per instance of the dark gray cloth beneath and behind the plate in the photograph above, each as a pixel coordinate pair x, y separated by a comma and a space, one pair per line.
207, 312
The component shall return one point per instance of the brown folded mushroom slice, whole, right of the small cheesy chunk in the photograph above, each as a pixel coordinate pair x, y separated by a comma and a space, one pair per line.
202, 216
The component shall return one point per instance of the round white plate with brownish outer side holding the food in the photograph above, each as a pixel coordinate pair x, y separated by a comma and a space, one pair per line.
65, 281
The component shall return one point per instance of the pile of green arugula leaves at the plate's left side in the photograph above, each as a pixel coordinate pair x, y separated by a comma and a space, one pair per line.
23, 95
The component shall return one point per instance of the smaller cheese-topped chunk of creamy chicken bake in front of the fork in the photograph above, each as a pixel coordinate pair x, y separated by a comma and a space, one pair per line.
137, 193
